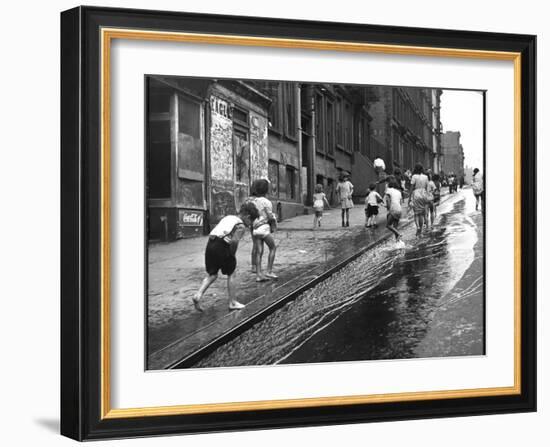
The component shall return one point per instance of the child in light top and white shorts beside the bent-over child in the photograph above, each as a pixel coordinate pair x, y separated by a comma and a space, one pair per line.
262, 227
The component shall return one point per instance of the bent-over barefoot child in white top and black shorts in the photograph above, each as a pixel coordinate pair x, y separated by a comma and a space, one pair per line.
220, 252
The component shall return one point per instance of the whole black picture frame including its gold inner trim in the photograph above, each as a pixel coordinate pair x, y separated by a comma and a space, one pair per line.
86, 389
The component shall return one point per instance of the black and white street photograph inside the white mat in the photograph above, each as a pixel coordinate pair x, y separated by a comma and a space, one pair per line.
294, 222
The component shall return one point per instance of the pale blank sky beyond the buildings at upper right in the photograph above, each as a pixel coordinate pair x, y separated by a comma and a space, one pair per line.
463, 111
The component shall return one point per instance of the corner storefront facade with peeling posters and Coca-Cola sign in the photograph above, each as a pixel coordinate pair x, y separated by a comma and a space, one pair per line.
206, 142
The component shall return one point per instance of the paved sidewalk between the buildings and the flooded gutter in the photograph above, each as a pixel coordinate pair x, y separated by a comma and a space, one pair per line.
176, 330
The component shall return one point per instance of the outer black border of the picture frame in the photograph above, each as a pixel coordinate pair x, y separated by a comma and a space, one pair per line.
81, 223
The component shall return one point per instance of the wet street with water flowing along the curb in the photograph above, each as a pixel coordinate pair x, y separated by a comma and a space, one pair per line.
423, 298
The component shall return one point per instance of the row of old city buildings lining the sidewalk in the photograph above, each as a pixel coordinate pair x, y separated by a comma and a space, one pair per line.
208, 140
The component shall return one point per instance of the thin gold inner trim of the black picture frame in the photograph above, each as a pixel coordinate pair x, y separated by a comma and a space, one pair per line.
107, 35
